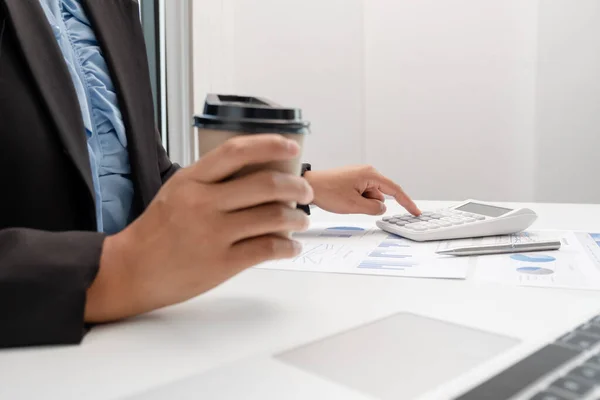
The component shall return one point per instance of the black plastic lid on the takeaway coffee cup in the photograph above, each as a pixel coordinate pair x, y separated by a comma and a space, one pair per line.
250, 115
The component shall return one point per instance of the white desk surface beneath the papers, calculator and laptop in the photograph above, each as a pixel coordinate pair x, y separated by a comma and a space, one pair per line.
268, 311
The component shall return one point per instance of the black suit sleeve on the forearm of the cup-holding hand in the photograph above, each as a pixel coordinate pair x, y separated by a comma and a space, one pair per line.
44, 277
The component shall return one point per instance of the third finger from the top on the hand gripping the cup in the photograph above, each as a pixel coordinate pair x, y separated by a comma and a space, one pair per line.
265, 219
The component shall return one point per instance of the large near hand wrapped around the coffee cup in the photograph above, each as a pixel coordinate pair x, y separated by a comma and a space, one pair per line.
200, 231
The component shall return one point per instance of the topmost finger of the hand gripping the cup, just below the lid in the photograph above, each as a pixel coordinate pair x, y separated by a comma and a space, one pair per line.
239, 152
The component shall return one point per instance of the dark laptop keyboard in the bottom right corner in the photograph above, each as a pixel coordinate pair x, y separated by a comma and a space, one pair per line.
568, 369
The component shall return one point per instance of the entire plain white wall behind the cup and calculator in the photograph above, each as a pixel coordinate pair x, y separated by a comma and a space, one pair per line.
452, 98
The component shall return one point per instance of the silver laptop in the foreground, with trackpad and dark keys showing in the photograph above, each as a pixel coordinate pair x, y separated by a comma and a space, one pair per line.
411, 356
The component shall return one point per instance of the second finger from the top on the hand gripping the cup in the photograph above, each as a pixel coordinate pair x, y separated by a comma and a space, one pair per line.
264, 187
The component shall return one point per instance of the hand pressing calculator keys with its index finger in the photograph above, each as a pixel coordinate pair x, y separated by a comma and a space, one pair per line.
356, 190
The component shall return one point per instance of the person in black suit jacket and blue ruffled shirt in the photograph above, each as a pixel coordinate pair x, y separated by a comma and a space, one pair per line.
96, 224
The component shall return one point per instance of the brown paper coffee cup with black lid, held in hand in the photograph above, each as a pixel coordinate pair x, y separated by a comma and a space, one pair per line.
228, 116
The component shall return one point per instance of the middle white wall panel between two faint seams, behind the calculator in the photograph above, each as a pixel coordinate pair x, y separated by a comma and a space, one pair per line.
450, 95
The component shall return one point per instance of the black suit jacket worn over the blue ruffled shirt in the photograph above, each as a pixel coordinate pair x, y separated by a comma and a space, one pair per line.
49, 247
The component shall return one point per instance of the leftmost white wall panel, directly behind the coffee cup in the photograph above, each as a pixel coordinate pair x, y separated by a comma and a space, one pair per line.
301, 53
